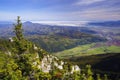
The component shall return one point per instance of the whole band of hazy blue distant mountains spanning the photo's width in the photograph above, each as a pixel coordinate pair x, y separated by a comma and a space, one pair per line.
109, 29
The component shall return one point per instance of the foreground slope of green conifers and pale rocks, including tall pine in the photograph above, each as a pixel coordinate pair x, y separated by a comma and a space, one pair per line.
20, 59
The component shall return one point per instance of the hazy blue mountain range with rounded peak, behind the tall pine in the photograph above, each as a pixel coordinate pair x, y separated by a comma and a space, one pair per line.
40, 29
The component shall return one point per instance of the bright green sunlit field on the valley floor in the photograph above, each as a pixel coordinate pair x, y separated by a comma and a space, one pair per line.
89, 49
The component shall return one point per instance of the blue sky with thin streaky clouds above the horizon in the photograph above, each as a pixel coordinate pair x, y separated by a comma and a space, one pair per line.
60, 10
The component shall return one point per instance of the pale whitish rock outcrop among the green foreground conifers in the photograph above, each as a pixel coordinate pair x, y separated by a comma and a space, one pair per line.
50, 62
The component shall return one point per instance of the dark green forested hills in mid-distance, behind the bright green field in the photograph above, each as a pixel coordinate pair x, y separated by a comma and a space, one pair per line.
63, 41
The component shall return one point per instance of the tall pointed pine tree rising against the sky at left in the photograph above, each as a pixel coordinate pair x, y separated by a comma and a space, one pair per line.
22, 44
